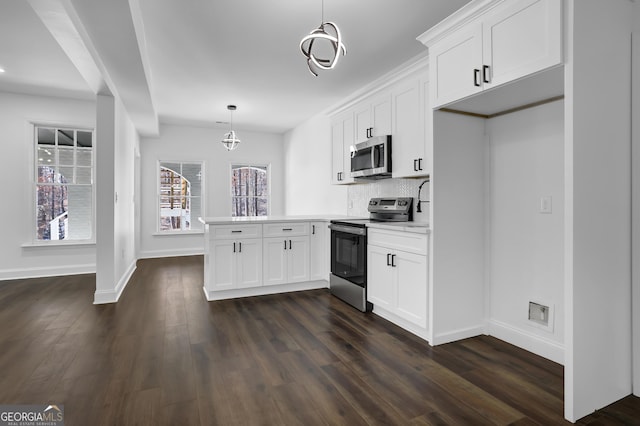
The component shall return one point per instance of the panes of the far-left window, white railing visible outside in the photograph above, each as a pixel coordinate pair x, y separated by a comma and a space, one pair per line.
64, 184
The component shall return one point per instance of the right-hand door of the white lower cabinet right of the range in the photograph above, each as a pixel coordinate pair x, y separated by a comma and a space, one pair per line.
411, 297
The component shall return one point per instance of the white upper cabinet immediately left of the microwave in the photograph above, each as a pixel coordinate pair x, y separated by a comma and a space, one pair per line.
342, 138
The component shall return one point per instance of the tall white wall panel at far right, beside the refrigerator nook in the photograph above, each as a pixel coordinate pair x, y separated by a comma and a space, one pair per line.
598, 205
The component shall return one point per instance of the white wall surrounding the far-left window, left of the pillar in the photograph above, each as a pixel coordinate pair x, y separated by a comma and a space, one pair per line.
17, 258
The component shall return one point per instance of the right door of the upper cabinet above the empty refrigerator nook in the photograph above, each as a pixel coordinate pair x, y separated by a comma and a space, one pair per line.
520, 38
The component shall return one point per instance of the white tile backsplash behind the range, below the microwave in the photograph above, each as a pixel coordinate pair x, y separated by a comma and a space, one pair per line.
360, 194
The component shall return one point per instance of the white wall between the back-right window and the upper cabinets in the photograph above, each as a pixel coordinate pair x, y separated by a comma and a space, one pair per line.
307, 154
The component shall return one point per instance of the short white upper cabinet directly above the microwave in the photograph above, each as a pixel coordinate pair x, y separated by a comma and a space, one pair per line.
372, 117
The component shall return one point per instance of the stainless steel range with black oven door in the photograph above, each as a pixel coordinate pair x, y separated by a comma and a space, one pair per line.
348, 278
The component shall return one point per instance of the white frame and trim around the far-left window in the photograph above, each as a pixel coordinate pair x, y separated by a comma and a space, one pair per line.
33, 179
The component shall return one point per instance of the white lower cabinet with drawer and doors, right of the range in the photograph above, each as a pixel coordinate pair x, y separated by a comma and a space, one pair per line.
397, 280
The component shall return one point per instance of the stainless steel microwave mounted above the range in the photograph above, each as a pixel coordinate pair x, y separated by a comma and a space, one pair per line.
371, 159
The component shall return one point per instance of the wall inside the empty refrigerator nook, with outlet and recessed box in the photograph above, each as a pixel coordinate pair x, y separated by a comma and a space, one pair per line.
526, 256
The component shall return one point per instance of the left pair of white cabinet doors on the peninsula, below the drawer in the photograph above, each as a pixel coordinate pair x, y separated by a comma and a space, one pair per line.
236, 263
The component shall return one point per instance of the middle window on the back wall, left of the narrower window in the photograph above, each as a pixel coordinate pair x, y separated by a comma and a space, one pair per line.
180, 196
